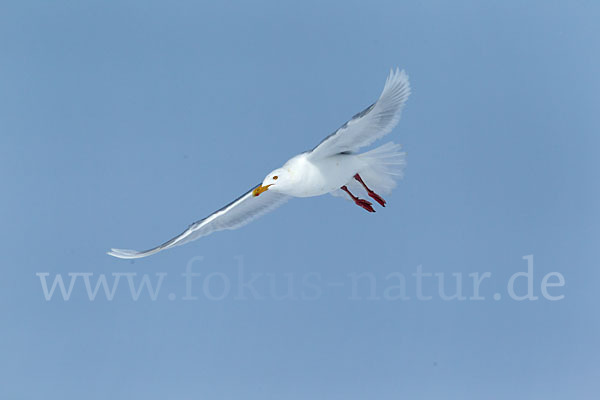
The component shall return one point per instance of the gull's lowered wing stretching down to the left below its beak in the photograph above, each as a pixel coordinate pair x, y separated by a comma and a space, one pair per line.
234, 215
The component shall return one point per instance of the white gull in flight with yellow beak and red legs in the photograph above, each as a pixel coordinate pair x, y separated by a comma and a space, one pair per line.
334, 166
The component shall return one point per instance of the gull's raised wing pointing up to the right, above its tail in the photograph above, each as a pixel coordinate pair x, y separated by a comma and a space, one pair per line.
370, 124
